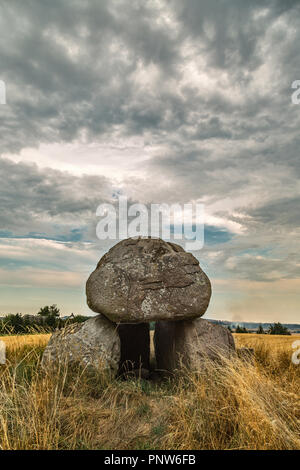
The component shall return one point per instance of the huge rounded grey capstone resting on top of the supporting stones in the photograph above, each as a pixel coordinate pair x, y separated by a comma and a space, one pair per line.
146, 279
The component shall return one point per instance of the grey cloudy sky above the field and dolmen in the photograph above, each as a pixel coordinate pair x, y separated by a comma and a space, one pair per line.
164, 101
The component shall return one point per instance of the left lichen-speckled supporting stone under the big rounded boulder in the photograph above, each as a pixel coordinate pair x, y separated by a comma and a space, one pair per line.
94, 343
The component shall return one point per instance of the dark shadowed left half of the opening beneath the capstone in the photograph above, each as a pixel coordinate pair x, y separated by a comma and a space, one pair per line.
135, 347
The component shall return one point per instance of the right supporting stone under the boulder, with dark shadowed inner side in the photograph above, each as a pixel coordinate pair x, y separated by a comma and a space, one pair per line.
190, 344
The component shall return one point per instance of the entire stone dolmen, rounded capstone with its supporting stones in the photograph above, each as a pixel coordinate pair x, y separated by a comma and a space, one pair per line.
139, 281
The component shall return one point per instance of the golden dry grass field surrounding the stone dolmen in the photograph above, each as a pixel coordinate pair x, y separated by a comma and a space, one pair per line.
233, 405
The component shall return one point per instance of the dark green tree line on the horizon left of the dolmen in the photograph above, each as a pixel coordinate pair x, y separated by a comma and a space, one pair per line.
47, 320
